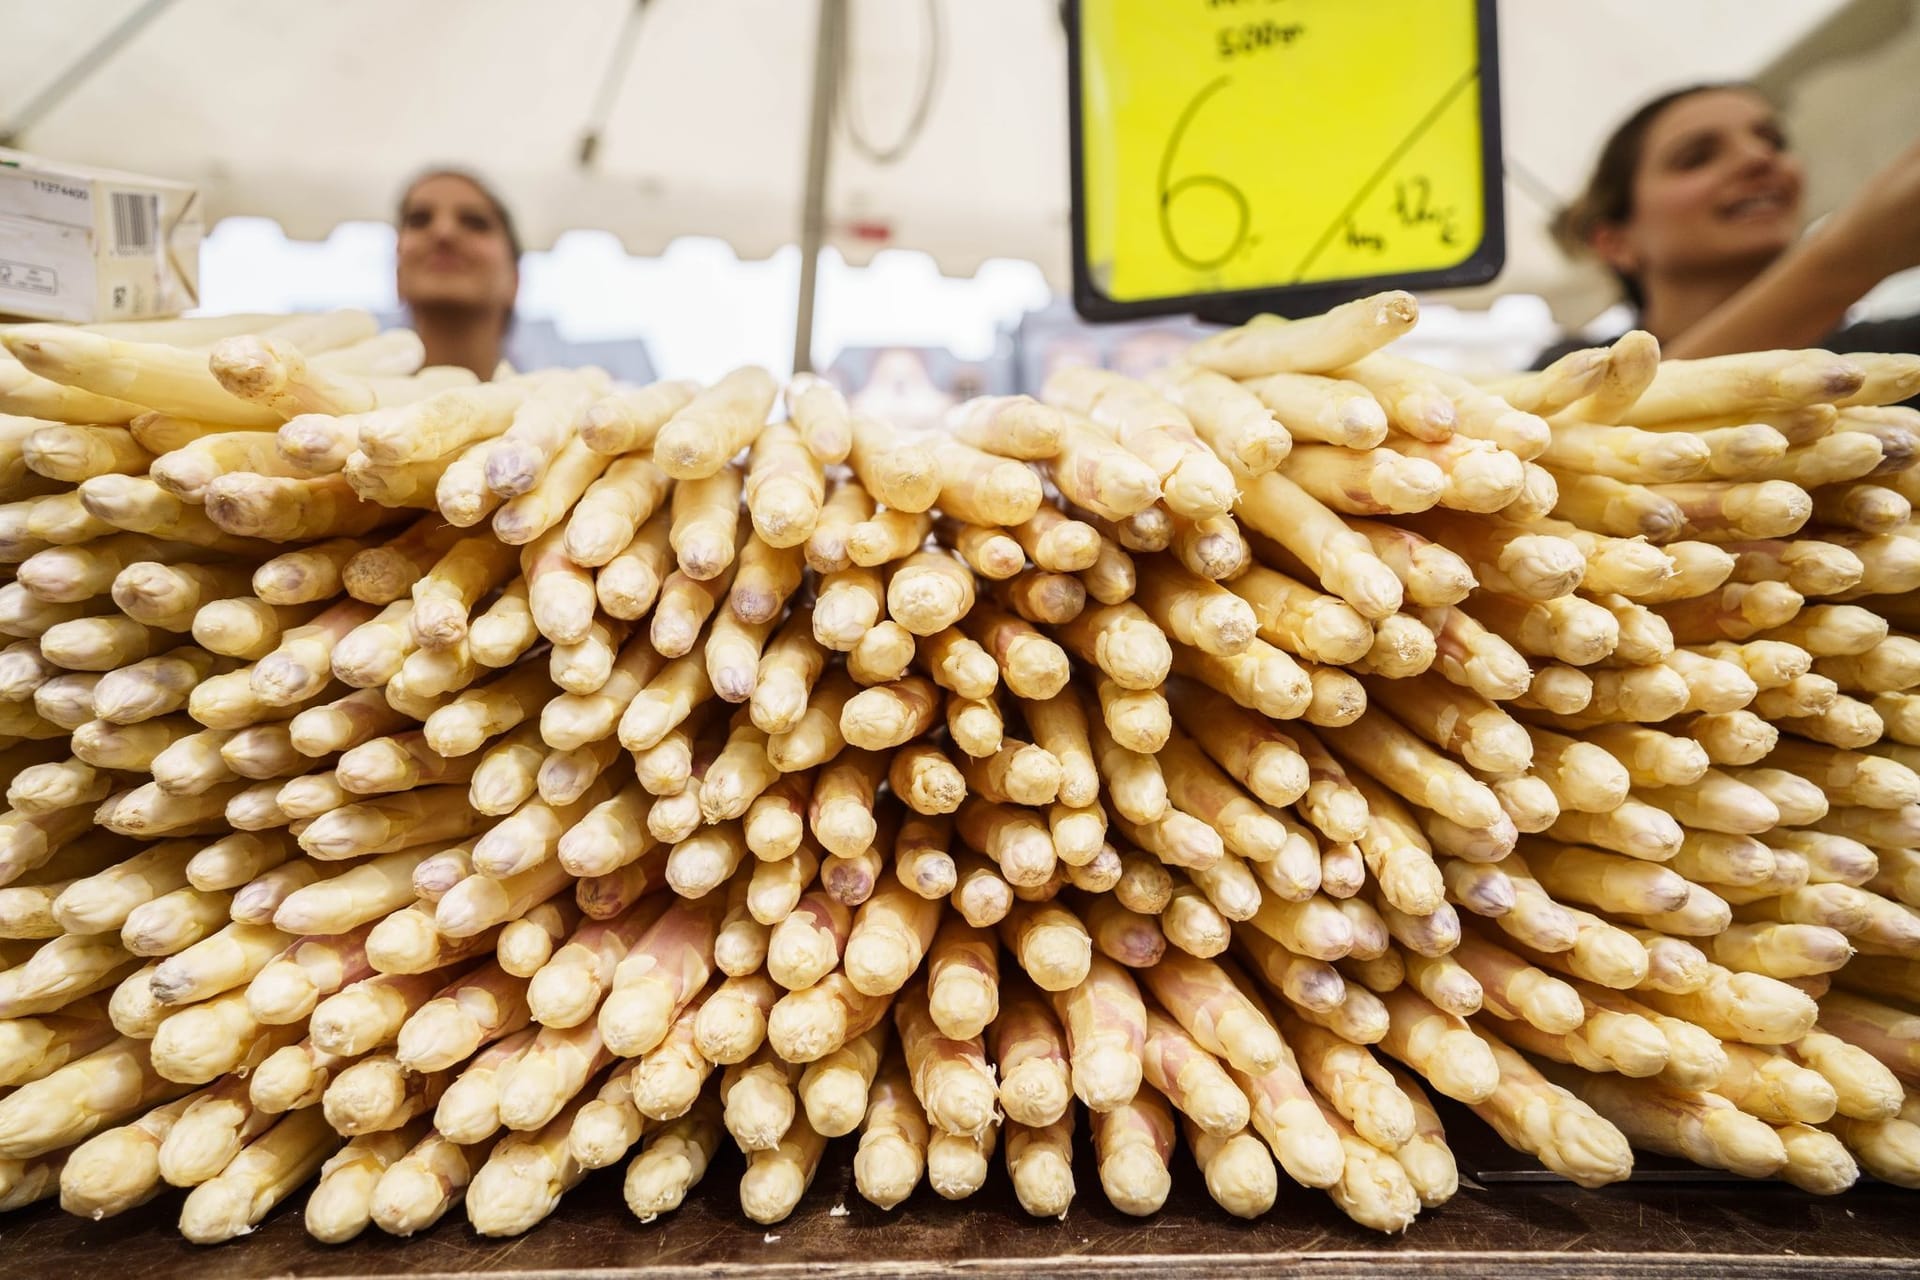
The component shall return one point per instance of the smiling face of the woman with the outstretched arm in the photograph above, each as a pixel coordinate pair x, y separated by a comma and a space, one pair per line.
1716, 191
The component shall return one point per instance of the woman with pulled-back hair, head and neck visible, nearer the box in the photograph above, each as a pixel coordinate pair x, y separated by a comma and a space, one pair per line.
458, 270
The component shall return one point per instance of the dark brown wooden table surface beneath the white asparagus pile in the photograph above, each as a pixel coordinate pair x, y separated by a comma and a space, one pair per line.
1543, 1231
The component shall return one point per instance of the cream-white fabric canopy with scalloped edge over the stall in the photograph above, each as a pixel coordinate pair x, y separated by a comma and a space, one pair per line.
314, 114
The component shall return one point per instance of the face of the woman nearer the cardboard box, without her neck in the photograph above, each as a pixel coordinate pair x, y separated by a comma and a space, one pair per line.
454, 249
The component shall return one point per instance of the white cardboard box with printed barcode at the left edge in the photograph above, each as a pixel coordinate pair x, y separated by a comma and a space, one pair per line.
91, 245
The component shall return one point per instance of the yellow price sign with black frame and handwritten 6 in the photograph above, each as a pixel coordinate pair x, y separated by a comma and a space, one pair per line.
1282, 154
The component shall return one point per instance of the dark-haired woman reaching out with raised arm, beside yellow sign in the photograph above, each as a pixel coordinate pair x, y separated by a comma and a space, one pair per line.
1696, 208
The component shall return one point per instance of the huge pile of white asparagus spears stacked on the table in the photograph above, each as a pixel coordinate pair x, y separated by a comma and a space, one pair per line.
446, 790
